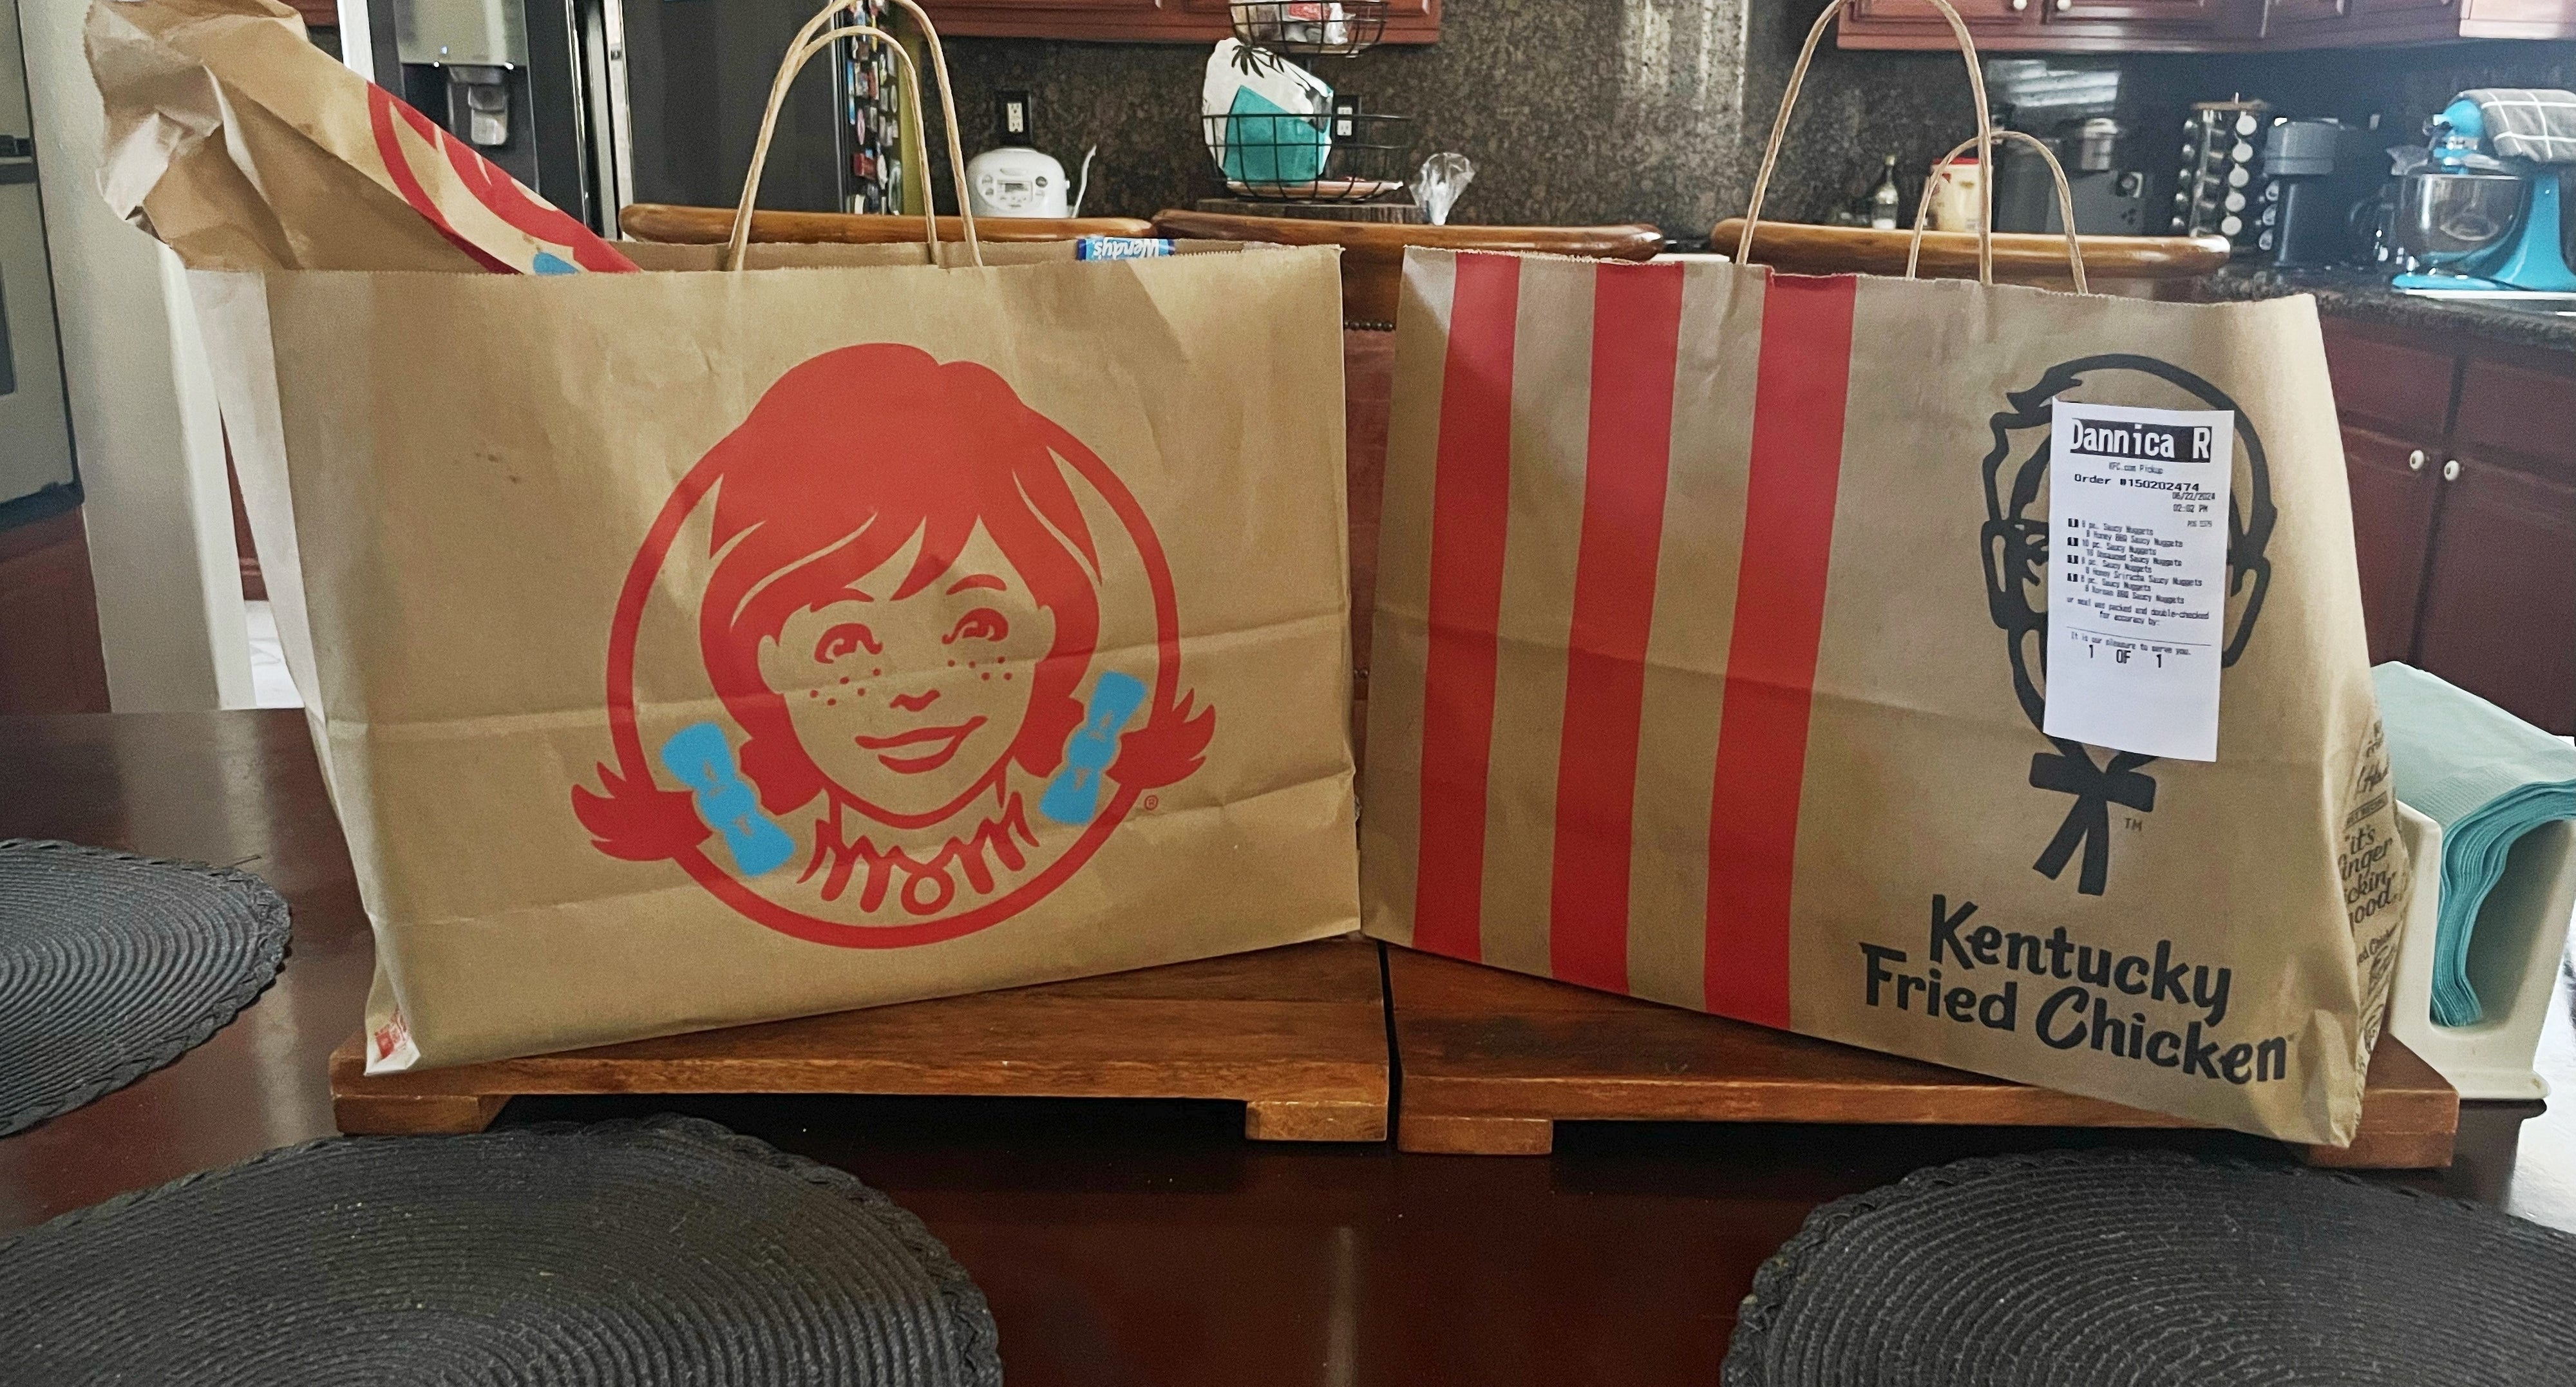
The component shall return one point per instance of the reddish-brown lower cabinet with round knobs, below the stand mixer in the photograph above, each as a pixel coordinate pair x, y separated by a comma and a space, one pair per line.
2464, 512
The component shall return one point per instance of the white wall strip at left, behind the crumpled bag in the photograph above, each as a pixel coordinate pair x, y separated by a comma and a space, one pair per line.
143, 411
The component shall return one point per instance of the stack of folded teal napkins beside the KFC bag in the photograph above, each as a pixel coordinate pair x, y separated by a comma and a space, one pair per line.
2487, 777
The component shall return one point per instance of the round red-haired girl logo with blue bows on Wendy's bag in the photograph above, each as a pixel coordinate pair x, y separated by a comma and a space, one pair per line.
898, 581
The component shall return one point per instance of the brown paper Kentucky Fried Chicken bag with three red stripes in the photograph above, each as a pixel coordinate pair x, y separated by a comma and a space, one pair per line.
1709, 669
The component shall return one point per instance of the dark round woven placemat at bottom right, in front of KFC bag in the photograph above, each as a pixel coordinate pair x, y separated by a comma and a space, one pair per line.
2157, 1270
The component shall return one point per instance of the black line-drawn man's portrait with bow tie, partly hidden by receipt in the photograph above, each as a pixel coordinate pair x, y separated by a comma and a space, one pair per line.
2016, 553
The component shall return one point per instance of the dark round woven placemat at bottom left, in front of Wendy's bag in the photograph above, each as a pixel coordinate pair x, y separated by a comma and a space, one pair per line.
632, 1254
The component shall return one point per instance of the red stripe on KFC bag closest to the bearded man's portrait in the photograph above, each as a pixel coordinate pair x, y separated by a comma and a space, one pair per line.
1771, 661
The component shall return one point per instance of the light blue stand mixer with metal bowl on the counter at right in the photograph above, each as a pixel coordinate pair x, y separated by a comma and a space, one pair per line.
2485, 205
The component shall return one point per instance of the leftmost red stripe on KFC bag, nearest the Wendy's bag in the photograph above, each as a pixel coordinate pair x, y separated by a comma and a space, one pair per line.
1472, 489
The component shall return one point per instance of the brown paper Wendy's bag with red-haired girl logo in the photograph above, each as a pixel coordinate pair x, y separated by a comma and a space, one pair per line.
694, 648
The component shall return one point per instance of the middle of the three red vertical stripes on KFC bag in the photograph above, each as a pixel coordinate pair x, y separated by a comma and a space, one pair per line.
1637, 326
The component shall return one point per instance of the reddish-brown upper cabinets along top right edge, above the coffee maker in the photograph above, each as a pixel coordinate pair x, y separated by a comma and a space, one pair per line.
2204, 24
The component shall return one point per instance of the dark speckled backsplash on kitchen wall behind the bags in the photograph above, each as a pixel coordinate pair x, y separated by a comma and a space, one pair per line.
1653, 110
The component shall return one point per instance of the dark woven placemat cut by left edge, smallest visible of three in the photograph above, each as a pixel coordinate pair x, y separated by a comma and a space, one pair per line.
115, 965
